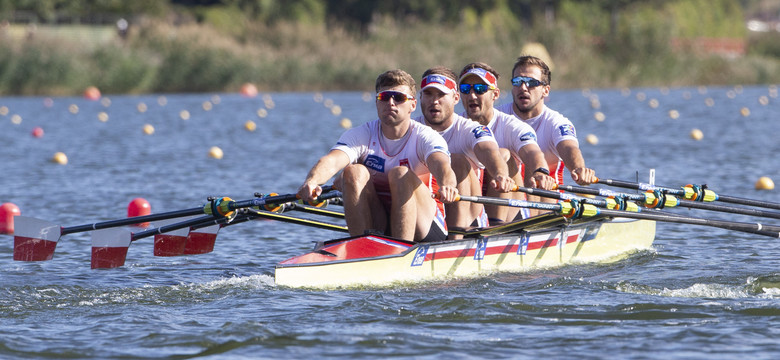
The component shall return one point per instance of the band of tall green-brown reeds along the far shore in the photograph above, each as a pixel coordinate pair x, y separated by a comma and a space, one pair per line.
160, 57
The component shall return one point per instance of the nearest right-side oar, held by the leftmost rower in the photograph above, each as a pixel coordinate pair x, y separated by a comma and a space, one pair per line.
574, 209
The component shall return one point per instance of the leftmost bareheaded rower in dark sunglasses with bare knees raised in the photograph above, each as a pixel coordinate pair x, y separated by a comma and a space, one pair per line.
390, 168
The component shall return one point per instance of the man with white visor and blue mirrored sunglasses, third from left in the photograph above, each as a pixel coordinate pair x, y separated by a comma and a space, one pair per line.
478, 85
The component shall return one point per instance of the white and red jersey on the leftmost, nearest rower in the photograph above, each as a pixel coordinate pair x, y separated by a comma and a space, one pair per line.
367, 145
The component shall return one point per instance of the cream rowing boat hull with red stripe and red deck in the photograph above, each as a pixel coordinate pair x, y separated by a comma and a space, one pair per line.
374, 260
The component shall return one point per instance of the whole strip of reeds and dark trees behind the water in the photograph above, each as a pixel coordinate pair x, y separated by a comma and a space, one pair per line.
58, 47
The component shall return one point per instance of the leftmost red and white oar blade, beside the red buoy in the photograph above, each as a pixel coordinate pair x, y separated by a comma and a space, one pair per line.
34, 239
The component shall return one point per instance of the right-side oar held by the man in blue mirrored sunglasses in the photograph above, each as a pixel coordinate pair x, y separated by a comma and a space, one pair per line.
656, 198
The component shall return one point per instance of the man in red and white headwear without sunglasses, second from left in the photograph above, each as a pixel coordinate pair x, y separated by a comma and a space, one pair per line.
472, 146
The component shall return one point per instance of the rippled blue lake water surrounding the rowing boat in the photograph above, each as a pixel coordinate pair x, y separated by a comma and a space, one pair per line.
700, 293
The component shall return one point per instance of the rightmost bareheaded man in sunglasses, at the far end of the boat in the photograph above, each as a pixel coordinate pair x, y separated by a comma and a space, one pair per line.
554, 132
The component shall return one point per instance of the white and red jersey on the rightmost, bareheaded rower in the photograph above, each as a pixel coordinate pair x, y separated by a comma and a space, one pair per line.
551, 128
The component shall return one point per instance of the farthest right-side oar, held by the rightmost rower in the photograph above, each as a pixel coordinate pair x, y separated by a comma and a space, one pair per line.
692, 192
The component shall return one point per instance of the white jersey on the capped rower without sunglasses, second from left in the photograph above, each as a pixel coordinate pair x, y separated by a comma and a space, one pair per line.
462, 136
